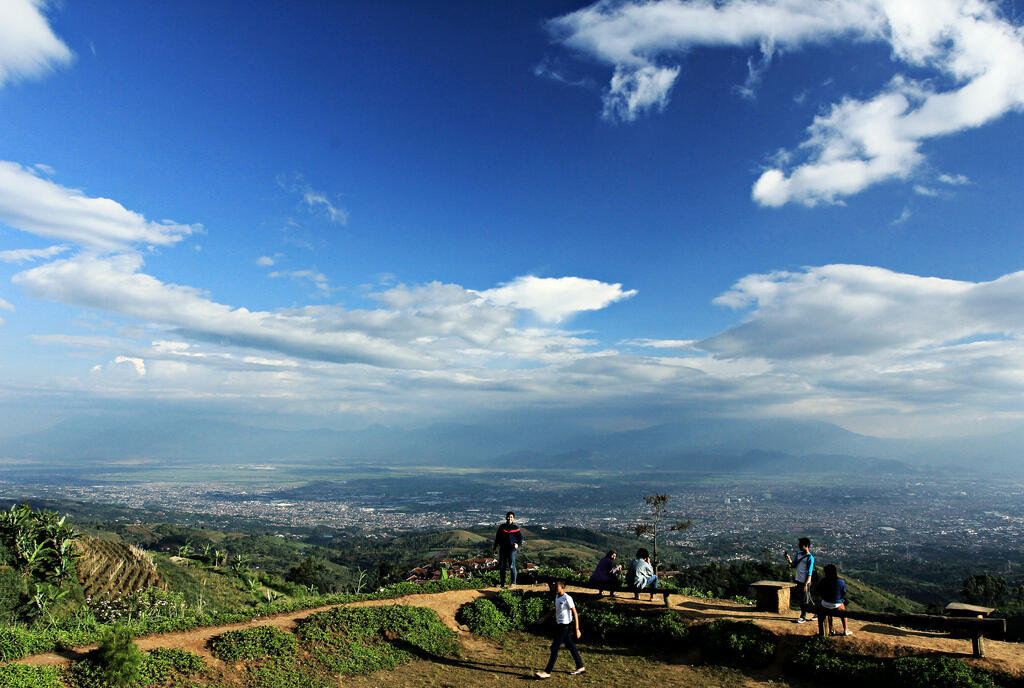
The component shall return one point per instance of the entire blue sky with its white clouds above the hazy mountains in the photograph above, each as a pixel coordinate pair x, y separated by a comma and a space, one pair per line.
337, 214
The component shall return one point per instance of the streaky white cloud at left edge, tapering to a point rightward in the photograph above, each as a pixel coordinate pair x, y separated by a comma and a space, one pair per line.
44, 208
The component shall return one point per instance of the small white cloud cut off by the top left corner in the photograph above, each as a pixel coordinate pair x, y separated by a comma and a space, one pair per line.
28, 47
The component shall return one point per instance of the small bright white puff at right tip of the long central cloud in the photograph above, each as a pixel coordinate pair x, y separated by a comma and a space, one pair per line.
554, 299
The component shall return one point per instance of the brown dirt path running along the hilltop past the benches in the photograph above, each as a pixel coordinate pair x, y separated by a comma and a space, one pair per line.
875, 639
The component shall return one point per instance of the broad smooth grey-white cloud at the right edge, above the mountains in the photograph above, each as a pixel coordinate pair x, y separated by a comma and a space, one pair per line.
858, 311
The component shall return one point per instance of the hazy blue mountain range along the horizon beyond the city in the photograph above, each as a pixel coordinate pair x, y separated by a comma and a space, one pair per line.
697, 444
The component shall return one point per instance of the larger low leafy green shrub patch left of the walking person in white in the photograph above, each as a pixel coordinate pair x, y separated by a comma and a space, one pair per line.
362, 640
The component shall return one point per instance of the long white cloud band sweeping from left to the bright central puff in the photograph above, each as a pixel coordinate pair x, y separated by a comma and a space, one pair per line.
430, 327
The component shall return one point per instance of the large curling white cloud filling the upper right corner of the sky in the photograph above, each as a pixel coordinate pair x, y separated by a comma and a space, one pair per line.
973, 56
